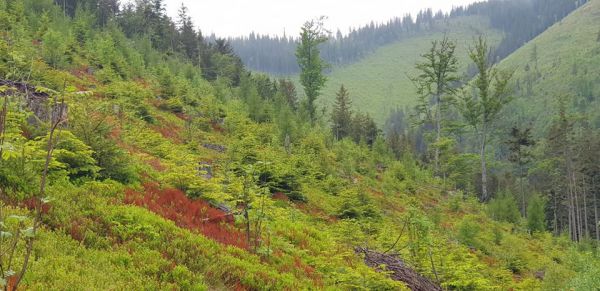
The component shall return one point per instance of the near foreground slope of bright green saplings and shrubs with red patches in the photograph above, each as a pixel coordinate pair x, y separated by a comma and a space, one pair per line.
160, 180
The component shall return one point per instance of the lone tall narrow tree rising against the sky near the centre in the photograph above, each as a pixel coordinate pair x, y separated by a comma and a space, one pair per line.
311, 65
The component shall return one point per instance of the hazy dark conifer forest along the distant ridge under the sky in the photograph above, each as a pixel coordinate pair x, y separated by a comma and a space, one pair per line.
519, 20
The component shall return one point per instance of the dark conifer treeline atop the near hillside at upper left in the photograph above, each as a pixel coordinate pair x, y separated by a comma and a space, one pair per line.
146, 21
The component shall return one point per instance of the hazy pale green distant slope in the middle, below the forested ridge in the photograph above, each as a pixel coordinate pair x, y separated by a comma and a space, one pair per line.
380, 82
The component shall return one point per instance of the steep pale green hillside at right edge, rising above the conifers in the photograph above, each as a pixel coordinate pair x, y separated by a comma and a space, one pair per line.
563, 62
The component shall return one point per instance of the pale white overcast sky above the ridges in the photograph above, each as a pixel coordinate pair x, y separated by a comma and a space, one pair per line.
240, 17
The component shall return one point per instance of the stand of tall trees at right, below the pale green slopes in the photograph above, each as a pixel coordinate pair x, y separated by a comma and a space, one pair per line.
474, 138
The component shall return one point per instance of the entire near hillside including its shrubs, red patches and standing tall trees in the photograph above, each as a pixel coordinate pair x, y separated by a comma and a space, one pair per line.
136, 154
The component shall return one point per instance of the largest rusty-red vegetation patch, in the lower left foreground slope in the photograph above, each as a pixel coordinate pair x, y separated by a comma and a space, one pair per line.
195, 215
